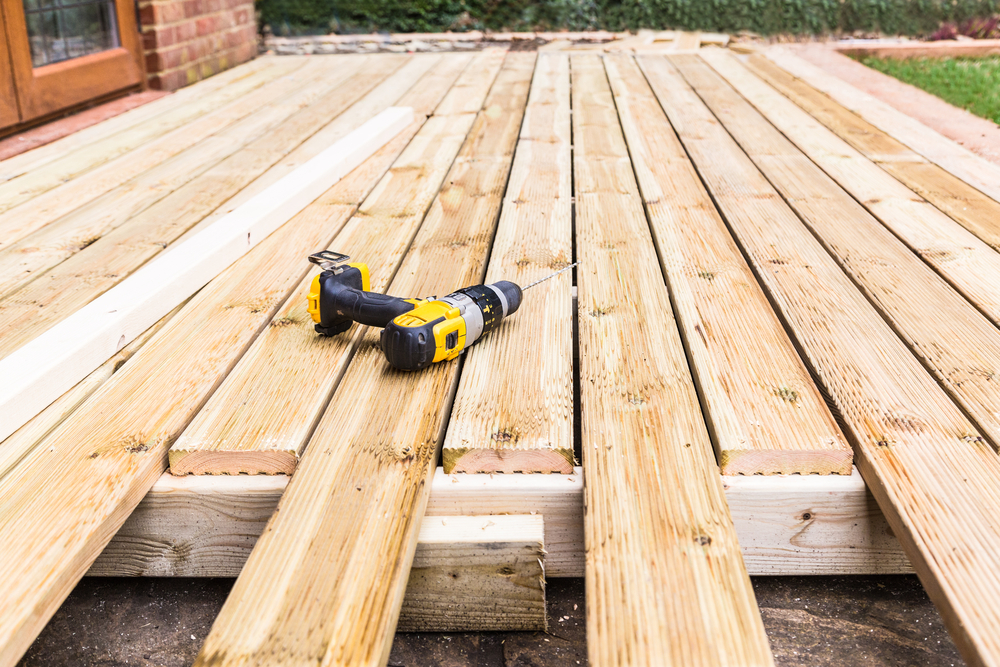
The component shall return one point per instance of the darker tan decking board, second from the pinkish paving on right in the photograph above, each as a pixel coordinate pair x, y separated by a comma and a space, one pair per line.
962, 202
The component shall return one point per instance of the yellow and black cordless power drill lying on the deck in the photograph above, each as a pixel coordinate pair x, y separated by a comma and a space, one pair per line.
417, 332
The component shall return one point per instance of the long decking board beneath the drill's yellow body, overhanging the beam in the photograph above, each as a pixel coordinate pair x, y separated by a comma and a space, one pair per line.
336, 554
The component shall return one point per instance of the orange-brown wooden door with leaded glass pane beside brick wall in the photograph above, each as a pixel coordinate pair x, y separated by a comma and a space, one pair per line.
67, 52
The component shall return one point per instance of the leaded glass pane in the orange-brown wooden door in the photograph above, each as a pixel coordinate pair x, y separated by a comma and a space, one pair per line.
59, 30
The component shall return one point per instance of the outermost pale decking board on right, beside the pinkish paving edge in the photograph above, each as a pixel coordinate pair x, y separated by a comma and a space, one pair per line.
963, 163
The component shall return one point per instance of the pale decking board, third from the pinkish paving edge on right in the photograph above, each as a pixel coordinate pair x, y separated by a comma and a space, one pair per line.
969, 264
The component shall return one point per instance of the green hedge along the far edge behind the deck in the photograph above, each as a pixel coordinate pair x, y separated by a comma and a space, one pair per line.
766, 17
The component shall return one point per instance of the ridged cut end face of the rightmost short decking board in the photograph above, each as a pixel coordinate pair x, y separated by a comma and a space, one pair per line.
785, 462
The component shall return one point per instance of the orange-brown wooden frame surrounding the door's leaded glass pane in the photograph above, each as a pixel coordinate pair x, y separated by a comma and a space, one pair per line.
51, 88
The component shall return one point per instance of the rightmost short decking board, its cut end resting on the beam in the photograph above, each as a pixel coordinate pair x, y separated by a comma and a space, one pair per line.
763, 408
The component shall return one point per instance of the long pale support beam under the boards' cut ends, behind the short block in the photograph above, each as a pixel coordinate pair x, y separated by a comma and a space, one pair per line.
206, 526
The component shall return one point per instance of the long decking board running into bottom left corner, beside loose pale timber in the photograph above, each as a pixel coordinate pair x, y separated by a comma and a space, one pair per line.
96, 467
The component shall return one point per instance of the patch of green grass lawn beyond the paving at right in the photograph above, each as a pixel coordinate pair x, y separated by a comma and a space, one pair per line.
970, 83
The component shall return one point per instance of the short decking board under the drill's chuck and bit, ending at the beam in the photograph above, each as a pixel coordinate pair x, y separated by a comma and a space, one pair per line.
514, 408
